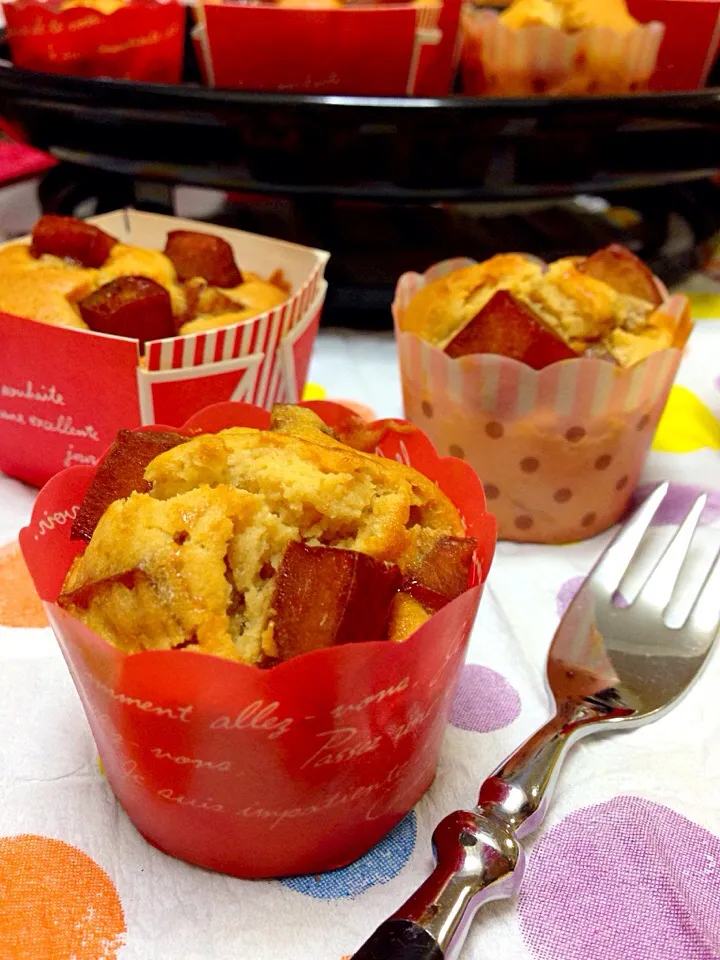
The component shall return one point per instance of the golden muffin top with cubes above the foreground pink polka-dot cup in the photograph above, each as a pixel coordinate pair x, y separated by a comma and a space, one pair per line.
606, 305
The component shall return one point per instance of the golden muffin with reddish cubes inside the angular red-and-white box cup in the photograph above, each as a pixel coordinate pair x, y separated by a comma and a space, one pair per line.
74, 274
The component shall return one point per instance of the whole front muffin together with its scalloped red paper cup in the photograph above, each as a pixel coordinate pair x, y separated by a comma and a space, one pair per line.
305, 766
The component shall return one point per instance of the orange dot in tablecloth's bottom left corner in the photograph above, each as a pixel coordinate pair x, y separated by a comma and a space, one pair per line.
56, 903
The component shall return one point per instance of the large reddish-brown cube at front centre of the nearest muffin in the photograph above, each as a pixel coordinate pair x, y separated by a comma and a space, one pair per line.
325, 597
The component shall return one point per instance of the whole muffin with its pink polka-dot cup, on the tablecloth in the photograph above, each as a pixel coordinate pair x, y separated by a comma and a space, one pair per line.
549, 379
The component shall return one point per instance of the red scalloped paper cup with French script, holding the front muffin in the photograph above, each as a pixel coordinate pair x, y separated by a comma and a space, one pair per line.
261, 773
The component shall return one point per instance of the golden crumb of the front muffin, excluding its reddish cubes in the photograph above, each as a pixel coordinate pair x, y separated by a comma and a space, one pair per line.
196, 559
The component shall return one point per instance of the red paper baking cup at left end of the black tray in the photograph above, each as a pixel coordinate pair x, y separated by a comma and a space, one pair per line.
142, 40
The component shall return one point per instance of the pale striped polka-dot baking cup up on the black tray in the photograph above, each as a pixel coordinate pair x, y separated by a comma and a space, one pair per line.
498, 60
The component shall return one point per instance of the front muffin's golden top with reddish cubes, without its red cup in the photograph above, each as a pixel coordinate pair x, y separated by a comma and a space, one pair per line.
258, 545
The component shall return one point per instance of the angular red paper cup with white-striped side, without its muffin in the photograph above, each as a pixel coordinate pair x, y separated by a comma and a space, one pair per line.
65, 392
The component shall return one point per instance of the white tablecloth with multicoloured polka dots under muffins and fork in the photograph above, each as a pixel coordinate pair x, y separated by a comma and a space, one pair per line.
627, 864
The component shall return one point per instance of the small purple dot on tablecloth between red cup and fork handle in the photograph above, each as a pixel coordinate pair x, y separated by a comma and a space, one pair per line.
484, 701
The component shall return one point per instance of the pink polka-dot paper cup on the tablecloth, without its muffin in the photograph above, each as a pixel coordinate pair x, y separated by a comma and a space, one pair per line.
559, 450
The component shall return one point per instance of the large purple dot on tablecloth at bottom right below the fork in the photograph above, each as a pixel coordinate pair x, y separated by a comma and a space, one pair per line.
628, 878
